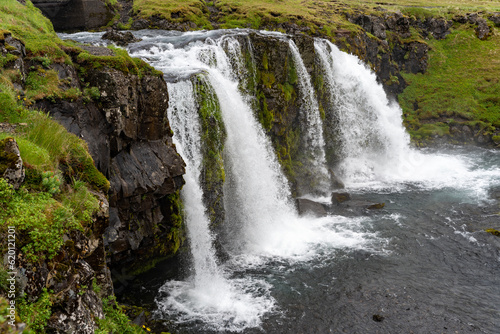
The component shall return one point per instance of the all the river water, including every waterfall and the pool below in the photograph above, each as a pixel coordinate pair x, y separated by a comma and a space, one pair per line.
421, 264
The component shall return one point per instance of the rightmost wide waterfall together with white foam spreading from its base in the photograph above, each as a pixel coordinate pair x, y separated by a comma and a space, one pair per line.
375, 147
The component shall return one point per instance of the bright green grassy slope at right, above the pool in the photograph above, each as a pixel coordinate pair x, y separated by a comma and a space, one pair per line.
461, 83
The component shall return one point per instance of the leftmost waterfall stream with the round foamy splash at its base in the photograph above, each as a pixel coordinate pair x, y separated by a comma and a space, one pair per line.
208, 295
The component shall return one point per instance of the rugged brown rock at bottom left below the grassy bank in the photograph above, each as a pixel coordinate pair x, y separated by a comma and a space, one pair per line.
70, 276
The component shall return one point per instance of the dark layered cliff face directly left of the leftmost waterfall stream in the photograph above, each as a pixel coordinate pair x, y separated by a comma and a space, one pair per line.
129, 137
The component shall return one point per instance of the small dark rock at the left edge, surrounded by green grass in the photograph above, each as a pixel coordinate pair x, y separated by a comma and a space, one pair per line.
11, 164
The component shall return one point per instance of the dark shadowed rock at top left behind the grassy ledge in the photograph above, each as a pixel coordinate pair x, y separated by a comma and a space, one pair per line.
75, 14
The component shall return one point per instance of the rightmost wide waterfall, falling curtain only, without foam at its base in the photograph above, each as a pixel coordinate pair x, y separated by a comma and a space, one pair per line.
370, 130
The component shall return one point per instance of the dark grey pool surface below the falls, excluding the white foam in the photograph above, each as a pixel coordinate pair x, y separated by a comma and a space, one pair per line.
431, 268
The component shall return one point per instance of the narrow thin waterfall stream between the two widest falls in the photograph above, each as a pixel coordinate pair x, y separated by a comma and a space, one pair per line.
314, 142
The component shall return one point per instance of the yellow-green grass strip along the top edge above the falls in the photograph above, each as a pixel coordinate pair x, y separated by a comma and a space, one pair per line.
320, 17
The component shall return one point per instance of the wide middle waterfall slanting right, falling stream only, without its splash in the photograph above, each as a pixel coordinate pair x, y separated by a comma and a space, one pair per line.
257, 189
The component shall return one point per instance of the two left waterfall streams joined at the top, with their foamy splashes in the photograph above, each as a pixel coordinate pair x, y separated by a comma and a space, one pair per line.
261, 219
